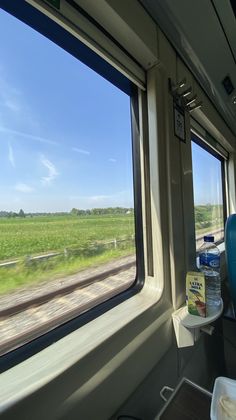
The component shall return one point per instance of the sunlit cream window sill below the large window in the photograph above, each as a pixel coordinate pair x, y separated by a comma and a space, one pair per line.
22, 380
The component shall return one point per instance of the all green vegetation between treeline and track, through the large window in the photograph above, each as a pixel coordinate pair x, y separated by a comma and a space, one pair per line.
81, 242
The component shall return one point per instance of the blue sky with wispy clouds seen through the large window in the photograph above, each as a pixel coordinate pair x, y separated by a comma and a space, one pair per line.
65, 132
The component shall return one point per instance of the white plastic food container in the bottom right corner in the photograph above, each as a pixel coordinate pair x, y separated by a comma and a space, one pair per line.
223, 387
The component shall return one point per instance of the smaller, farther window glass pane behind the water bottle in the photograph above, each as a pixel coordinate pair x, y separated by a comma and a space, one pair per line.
208, 194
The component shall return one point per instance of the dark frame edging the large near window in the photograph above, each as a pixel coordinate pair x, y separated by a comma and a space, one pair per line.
45, 26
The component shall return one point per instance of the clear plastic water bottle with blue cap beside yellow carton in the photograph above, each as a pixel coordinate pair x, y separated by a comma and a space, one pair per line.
209, 261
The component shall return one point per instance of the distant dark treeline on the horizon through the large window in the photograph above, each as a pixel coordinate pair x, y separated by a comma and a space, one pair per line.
73, 212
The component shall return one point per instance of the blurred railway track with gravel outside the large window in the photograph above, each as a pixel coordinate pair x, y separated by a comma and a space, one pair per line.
28, 319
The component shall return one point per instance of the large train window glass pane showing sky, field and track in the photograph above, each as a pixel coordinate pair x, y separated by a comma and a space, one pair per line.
66, 186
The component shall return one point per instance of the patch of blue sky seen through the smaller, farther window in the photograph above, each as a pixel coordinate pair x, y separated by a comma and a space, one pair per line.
207, 180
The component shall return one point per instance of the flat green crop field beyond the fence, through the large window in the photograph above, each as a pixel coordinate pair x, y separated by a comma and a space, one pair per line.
36, 235
